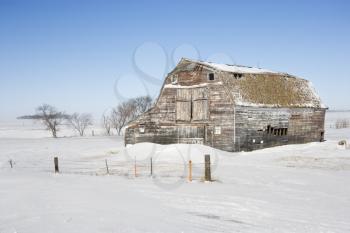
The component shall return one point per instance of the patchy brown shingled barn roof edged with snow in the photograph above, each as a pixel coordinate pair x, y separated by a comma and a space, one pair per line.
264, 88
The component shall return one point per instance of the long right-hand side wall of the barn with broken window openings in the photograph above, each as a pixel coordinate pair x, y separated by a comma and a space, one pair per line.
266, 127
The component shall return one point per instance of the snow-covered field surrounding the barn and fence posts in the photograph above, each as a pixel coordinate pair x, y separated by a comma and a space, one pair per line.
294, 188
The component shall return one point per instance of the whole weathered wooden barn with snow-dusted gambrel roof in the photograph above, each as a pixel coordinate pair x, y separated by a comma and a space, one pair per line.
232, 108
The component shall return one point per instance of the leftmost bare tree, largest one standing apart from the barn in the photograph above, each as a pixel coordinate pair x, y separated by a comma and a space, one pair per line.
48, 116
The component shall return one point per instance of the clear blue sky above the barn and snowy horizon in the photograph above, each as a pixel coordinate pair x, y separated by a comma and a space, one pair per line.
86, 56
